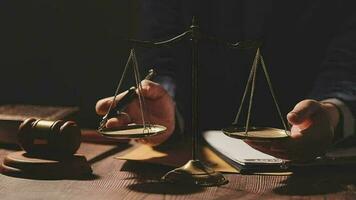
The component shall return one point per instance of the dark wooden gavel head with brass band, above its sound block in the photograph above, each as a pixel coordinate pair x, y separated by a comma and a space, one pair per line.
43, 137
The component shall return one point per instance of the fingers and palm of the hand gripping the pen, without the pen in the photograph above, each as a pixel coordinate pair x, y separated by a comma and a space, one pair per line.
160, 110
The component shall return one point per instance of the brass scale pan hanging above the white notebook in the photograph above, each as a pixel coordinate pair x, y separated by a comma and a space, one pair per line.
256, 133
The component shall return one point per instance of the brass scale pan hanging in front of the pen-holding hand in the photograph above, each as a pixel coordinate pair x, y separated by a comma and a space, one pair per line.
133, 131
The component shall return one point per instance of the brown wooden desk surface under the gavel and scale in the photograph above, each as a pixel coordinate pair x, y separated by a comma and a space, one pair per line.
116, 179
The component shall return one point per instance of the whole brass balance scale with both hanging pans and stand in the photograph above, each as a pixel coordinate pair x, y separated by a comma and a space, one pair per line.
194, 171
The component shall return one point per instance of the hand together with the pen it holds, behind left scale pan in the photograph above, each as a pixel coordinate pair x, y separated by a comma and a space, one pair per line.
159, 104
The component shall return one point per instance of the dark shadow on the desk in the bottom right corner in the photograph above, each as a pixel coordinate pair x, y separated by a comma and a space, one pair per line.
319, 181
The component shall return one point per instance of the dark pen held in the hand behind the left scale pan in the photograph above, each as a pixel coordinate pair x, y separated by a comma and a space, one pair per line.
122, 104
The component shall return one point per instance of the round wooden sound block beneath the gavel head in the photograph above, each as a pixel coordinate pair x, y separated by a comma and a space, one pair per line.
21, 164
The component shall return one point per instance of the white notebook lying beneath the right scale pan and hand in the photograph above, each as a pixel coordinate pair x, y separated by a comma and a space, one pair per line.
242, 156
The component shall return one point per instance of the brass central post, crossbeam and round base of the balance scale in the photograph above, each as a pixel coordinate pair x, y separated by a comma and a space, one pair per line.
194, 171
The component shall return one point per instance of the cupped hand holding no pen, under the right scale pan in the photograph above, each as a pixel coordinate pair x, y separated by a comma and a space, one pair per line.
312, 132
